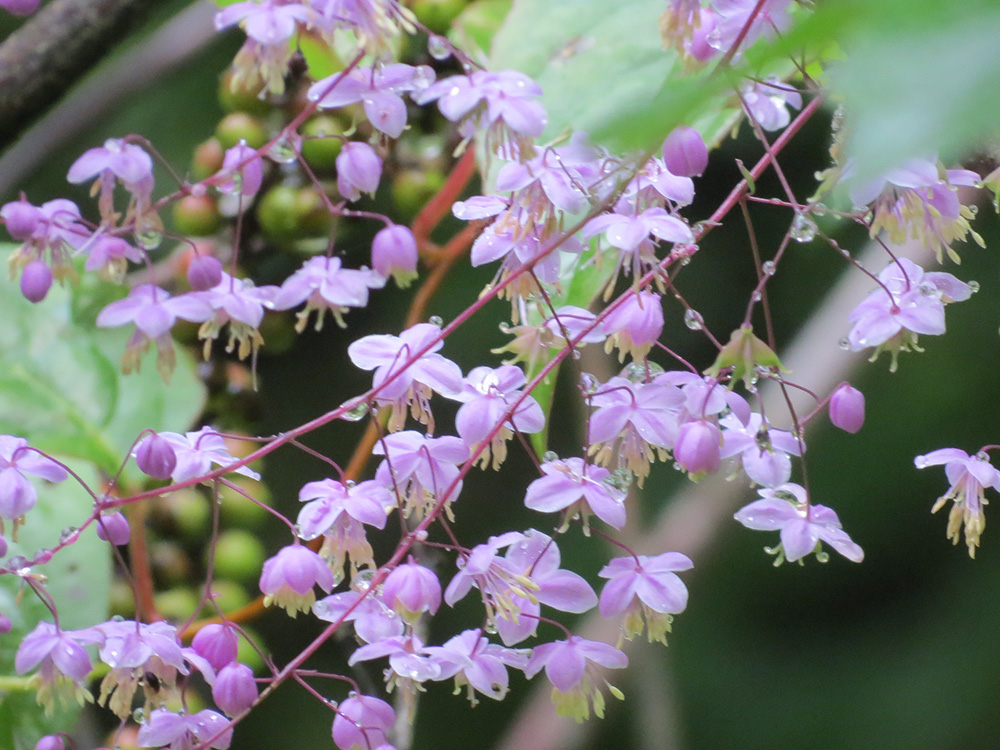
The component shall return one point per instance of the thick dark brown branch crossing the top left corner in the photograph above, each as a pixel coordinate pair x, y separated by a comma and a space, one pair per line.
53, 50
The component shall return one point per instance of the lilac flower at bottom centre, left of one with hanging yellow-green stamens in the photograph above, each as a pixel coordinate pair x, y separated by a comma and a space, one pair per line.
473, 661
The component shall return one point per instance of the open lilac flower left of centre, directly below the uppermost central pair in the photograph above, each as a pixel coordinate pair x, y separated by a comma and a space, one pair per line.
420, 470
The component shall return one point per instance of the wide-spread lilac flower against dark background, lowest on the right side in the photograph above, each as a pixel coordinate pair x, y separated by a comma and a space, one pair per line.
802, 525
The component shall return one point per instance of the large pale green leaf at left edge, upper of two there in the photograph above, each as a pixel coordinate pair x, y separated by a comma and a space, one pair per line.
61, 385
